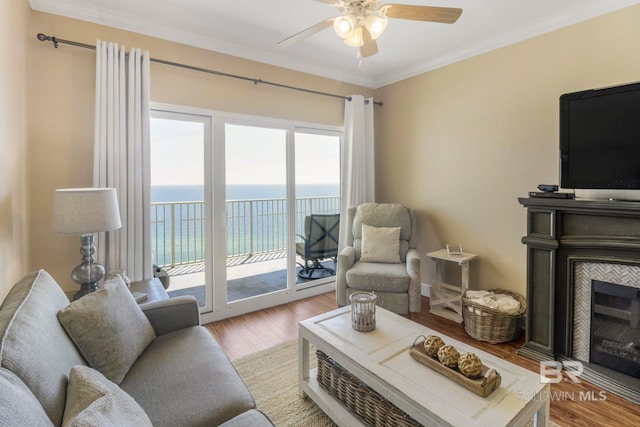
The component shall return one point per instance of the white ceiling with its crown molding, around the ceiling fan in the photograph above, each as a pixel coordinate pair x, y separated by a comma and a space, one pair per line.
252, 28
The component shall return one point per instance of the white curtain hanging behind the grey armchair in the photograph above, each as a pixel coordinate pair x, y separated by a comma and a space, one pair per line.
358, 178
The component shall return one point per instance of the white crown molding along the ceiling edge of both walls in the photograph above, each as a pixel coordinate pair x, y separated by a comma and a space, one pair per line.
366, 78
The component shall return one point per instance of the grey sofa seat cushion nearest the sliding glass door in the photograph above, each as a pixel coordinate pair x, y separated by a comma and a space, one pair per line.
189, 365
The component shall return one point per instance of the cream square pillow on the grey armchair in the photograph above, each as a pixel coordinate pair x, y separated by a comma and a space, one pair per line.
380, 244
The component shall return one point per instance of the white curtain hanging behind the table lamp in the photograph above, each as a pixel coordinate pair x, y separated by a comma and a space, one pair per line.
121, 156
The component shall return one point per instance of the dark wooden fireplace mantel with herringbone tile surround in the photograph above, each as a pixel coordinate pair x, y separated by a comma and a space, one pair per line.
569, 244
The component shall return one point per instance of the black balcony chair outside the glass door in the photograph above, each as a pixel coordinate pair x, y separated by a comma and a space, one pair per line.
320, 242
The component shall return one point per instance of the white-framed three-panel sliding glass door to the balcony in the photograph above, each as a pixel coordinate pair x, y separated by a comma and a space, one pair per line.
232, 195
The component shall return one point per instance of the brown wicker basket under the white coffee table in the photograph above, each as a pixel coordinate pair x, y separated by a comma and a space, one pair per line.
359, 398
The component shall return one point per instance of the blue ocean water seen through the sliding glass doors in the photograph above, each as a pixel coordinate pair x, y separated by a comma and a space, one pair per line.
252, 227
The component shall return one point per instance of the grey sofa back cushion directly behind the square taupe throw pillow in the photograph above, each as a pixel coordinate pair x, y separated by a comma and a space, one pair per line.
33, 345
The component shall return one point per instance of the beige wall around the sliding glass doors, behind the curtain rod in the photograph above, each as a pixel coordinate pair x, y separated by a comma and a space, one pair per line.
62, 84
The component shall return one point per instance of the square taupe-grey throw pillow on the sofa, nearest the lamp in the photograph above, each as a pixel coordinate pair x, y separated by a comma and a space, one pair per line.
109, 328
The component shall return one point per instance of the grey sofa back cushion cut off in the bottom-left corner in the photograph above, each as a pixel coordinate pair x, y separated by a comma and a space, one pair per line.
19, 406
